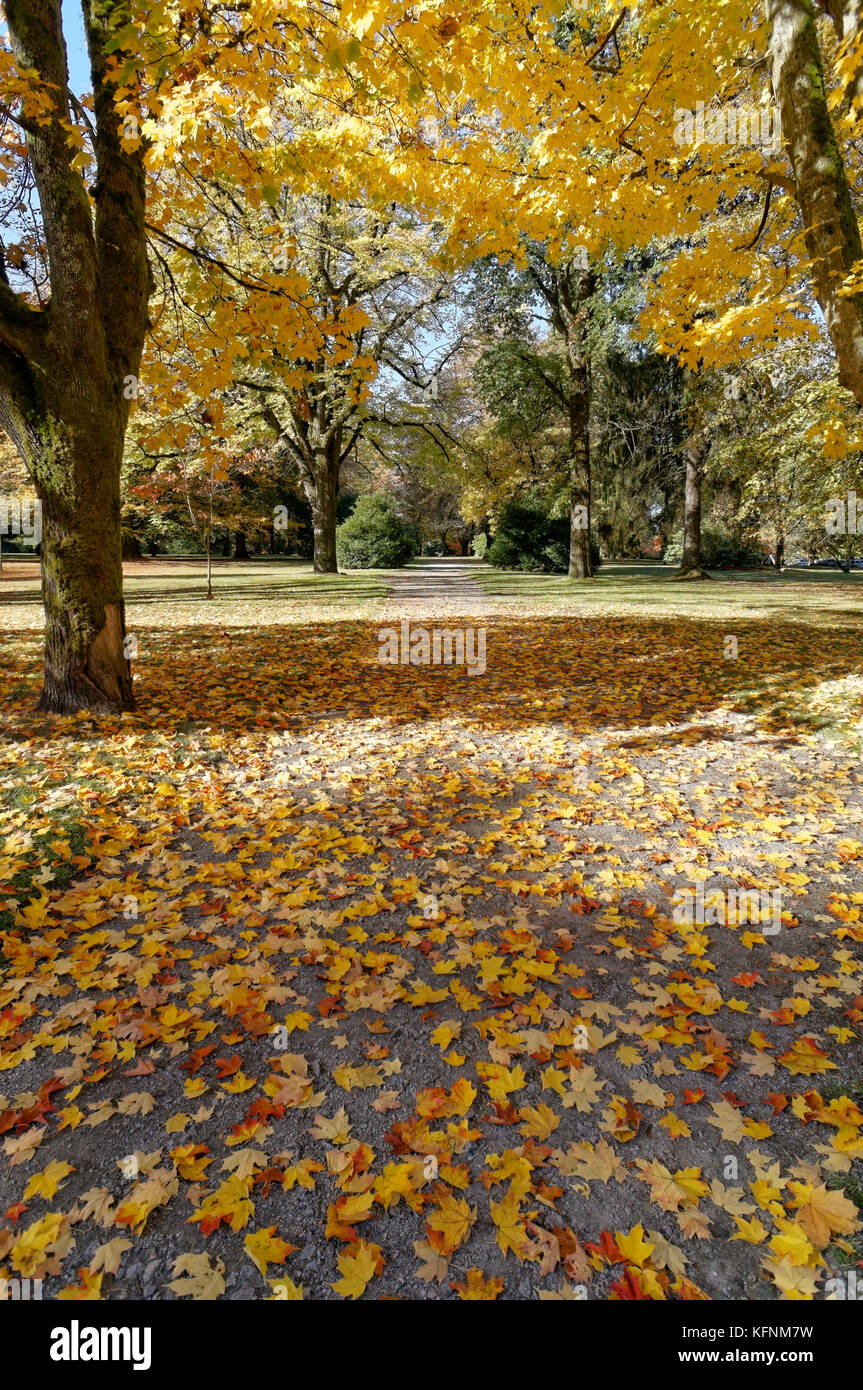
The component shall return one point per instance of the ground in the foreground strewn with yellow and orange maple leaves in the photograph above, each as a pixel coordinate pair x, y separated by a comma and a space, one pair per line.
331, 979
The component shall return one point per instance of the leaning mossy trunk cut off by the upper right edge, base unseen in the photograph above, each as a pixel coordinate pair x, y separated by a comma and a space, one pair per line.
833, 234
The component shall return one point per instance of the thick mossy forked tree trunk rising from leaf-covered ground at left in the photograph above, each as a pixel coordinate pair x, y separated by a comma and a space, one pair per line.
67, 372
